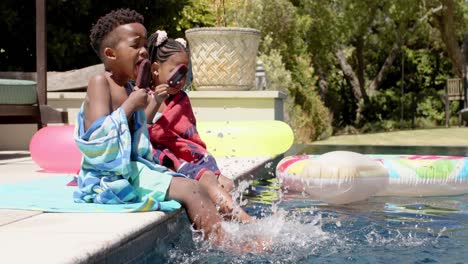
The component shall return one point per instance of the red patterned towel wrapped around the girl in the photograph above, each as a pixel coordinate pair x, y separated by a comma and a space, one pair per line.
174, 135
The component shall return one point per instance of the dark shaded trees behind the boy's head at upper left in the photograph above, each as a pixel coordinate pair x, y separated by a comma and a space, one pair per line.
68, 26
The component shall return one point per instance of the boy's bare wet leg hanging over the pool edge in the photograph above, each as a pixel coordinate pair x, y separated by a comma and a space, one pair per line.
199, 207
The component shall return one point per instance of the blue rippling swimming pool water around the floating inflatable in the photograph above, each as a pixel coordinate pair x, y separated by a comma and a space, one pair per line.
379, 230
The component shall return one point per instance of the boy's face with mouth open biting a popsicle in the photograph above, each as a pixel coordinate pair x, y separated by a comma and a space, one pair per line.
129, 49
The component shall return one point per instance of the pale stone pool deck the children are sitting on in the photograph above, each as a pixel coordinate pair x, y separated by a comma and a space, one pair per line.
38, 237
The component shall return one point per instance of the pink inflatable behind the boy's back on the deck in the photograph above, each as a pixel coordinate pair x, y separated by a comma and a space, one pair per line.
53, 148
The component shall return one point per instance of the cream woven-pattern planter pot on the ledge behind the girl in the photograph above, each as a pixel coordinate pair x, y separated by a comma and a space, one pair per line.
224, 58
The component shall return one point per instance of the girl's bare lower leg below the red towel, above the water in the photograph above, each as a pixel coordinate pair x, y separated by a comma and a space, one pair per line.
222, 198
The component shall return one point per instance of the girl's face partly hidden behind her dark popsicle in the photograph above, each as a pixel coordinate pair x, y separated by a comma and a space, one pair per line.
166, 68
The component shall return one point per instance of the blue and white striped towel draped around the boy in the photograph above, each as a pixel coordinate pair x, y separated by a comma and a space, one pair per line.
108, 149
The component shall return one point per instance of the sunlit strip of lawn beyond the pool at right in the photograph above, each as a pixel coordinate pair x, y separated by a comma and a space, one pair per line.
457, 136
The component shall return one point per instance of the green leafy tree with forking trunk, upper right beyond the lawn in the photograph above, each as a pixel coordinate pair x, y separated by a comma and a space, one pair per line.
354, 32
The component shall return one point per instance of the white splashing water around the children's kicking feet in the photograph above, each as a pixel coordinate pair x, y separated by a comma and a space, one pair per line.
286, 235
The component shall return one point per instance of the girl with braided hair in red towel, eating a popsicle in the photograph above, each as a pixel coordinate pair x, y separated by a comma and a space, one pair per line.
172, 126
